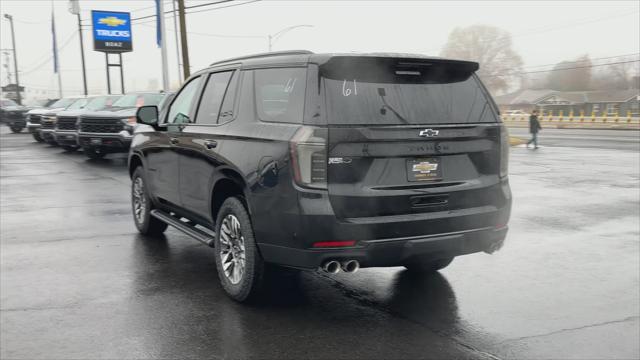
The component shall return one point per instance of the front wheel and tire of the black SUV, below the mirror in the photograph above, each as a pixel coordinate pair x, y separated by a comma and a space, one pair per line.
141, 206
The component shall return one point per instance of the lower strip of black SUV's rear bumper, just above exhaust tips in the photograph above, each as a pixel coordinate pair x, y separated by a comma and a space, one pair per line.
391, 252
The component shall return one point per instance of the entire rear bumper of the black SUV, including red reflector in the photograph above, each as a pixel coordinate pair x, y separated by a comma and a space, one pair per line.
287, 237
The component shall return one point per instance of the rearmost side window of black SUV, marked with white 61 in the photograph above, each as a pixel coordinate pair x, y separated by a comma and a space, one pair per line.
279, 94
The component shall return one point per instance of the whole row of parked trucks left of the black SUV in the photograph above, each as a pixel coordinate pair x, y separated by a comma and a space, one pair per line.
99, 124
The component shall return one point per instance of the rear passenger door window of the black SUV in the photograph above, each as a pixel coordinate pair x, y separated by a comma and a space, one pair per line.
211, 102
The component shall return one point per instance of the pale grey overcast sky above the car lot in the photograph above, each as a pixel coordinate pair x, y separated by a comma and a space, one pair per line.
544, 32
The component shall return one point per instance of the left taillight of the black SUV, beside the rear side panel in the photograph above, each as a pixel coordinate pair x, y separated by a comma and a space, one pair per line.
309, 157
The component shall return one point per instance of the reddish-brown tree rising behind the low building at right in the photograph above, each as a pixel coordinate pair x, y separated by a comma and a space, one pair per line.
571, 75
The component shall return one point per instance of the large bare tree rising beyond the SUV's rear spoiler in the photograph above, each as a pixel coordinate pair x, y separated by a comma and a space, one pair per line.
491, 47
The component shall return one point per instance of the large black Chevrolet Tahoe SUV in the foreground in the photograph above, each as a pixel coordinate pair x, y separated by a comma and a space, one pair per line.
325, 161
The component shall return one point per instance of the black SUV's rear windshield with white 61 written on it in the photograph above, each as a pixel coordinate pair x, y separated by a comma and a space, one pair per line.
391, 95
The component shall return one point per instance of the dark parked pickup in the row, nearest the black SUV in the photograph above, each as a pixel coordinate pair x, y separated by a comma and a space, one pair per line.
110, 130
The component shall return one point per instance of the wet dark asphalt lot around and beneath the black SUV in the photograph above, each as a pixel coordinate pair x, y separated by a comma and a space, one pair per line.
77, 281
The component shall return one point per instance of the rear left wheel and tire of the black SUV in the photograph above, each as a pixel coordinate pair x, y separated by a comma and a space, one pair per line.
241, 269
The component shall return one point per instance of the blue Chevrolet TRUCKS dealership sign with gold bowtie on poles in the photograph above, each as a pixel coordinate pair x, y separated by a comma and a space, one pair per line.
111, 31
